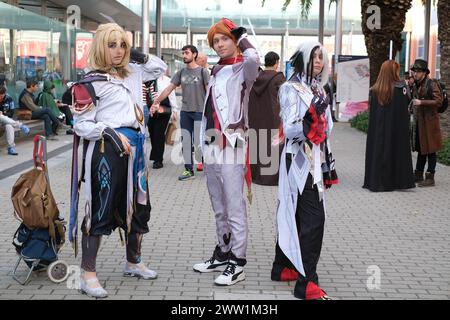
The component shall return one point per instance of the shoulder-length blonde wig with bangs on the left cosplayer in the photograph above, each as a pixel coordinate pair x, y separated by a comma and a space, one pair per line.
99, 58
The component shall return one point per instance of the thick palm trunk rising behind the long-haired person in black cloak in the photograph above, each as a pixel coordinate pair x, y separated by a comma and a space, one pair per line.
393, 16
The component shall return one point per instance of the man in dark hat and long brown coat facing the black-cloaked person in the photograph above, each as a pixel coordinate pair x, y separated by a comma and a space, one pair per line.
426, 131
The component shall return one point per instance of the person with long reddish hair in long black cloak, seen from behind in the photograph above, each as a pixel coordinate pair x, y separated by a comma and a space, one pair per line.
388, 164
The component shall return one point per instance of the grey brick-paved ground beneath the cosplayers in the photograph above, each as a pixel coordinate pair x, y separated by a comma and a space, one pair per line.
405, 236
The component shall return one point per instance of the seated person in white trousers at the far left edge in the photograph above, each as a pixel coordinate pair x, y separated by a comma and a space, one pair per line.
6, 106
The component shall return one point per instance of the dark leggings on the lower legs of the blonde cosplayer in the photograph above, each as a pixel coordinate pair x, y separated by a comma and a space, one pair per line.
90, 245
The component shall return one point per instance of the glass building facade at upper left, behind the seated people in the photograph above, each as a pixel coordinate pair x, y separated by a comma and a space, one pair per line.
35, 47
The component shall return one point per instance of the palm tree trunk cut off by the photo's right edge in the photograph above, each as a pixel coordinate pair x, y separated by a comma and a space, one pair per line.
444, 39
